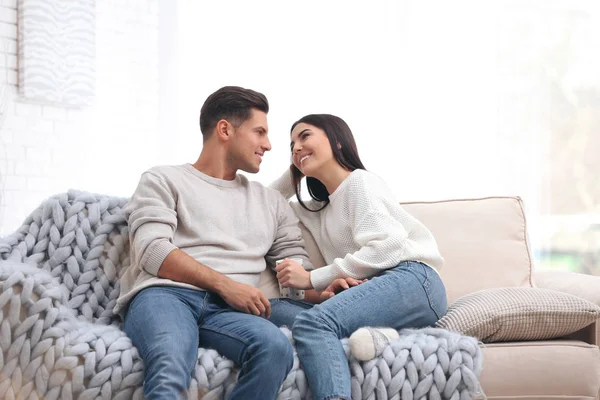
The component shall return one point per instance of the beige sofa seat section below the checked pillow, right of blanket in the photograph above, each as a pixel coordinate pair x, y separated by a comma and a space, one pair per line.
541, 370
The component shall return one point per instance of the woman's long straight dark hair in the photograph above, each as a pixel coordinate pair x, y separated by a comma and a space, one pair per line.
344, 150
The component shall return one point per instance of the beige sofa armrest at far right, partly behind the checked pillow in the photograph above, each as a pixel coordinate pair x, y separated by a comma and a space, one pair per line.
584, 286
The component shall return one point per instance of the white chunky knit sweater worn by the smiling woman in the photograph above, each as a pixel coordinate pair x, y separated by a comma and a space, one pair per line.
363, 231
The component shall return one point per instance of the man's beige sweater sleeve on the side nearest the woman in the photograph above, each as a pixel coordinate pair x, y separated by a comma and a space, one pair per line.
288, 241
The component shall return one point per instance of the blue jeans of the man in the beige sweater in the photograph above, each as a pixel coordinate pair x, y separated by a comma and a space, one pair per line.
168, 324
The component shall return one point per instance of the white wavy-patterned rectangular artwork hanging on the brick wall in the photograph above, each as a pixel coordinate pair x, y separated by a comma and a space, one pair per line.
57, 52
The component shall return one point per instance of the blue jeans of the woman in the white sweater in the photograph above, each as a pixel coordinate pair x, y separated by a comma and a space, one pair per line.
410, 295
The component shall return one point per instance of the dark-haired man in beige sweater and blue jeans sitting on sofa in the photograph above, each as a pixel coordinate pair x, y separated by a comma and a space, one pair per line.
200, 237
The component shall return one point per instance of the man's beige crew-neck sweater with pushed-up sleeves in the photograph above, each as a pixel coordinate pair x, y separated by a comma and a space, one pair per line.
234, 227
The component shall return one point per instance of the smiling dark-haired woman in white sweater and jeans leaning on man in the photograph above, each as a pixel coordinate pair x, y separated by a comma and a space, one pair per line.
363, 234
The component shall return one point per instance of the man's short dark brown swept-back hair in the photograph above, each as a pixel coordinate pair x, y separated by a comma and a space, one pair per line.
231, 103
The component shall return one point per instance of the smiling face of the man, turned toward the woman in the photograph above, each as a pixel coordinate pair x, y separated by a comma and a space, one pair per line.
249, 143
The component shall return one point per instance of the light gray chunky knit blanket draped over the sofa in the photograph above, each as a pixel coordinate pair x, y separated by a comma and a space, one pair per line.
59, 281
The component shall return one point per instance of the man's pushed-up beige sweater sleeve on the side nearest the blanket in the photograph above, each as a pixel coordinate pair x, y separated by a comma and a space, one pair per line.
152, 222
